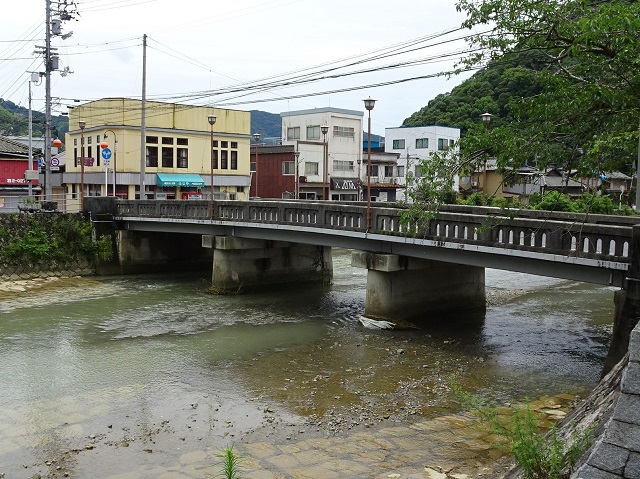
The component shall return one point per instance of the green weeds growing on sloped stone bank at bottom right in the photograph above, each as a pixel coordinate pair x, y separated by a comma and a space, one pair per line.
520, 432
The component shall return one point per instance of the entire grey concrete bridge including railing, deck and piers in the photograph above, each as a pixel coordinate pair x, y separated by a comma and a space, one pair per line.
413, 267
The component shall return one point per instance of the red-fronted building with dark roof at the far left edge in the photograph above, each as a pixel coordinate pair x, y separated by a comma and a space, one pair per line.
14, 161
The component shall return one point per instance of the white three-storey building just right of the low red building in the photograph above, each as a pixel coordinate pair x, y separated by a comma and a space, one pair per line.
329, 141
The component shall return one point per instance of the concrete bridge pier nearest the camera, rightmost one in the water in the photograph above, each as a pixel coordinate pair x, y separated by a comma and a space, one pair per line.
402, 288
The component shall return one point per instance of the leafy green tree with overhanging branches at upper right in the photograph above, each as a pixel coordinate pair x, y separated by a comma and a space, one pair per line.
587, 56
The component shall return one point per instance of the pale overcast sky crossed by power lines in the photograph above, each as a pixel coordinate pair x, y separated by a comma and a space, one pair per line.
196, 48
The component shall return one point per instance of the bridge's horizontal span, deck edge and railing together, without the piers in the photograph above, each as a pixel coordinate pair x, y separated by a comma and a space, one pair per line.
590, 248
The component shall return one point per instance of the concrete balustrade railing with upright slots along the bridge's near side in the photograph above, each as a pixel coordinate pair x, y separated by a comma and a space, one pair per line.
567, 234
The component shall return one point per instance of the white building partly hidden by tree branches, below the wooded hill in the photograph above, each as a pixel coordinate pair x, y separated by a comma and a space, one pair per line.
417, 143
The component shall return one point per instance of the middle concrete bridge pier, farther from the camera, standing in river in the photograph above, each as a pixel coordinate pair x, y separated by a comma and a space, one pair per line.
243, 265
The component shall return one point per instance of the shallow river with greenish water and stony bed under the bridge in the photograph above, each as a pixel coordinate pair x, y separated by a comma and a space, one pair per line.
150, 376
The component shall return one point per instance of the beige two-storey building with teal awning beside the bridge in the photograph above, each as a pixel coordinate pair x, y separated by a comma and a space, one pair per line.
172, 159
